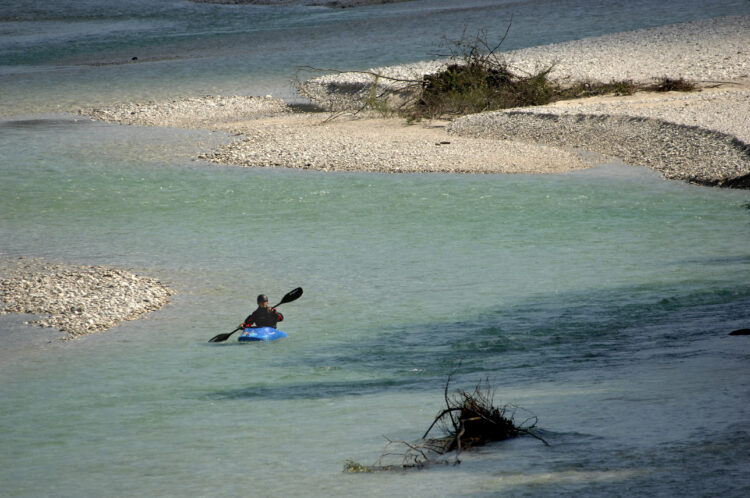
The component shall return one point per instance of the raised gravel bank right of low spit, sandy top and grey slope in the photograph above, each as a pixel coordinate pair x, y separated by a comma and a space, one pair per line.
698, 138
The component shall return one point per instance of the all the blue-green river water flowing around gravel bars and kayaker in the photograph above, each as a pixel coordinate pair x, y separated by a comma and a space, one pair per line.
600, 301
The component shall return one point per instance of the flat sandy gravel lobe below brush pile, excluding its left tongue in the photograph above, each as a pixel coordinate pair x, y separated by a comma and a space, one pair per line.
382, 145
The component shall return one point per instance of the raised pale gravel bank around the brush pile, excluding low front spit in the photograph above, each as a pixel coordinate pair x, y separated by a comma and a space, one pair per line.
696, 137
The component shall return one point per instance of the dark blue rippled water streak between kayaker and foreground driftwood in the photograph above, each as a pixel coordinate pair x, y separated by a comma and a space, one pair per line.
543, 339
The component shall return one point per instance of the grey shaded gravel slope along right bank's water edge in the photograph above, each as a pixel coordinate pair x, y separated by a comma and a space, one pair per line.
679, 152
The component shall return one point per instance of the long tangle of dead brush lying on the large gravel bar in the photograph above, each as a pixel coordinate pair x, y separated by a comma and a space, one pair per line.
474, 77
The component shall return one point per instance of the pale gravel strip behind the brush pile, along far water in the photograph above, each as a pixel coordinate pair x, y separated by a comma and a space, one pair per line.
706, 50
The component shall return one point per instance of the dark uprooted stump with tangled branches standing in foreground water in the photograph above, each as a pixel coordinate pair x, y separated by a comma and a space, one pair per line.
469, 419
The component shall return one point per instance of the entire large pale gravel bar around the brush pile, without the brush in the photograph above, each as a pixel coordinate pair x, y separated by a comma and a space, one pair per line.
698, 137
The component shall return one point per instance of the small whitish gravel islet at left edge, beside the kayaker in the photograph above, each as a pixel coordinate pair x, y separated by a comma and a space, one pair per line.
77, 300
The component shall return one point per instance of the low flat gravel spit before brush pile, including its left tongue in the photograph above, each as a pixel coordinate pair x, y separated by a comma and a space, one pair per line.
271, 135
